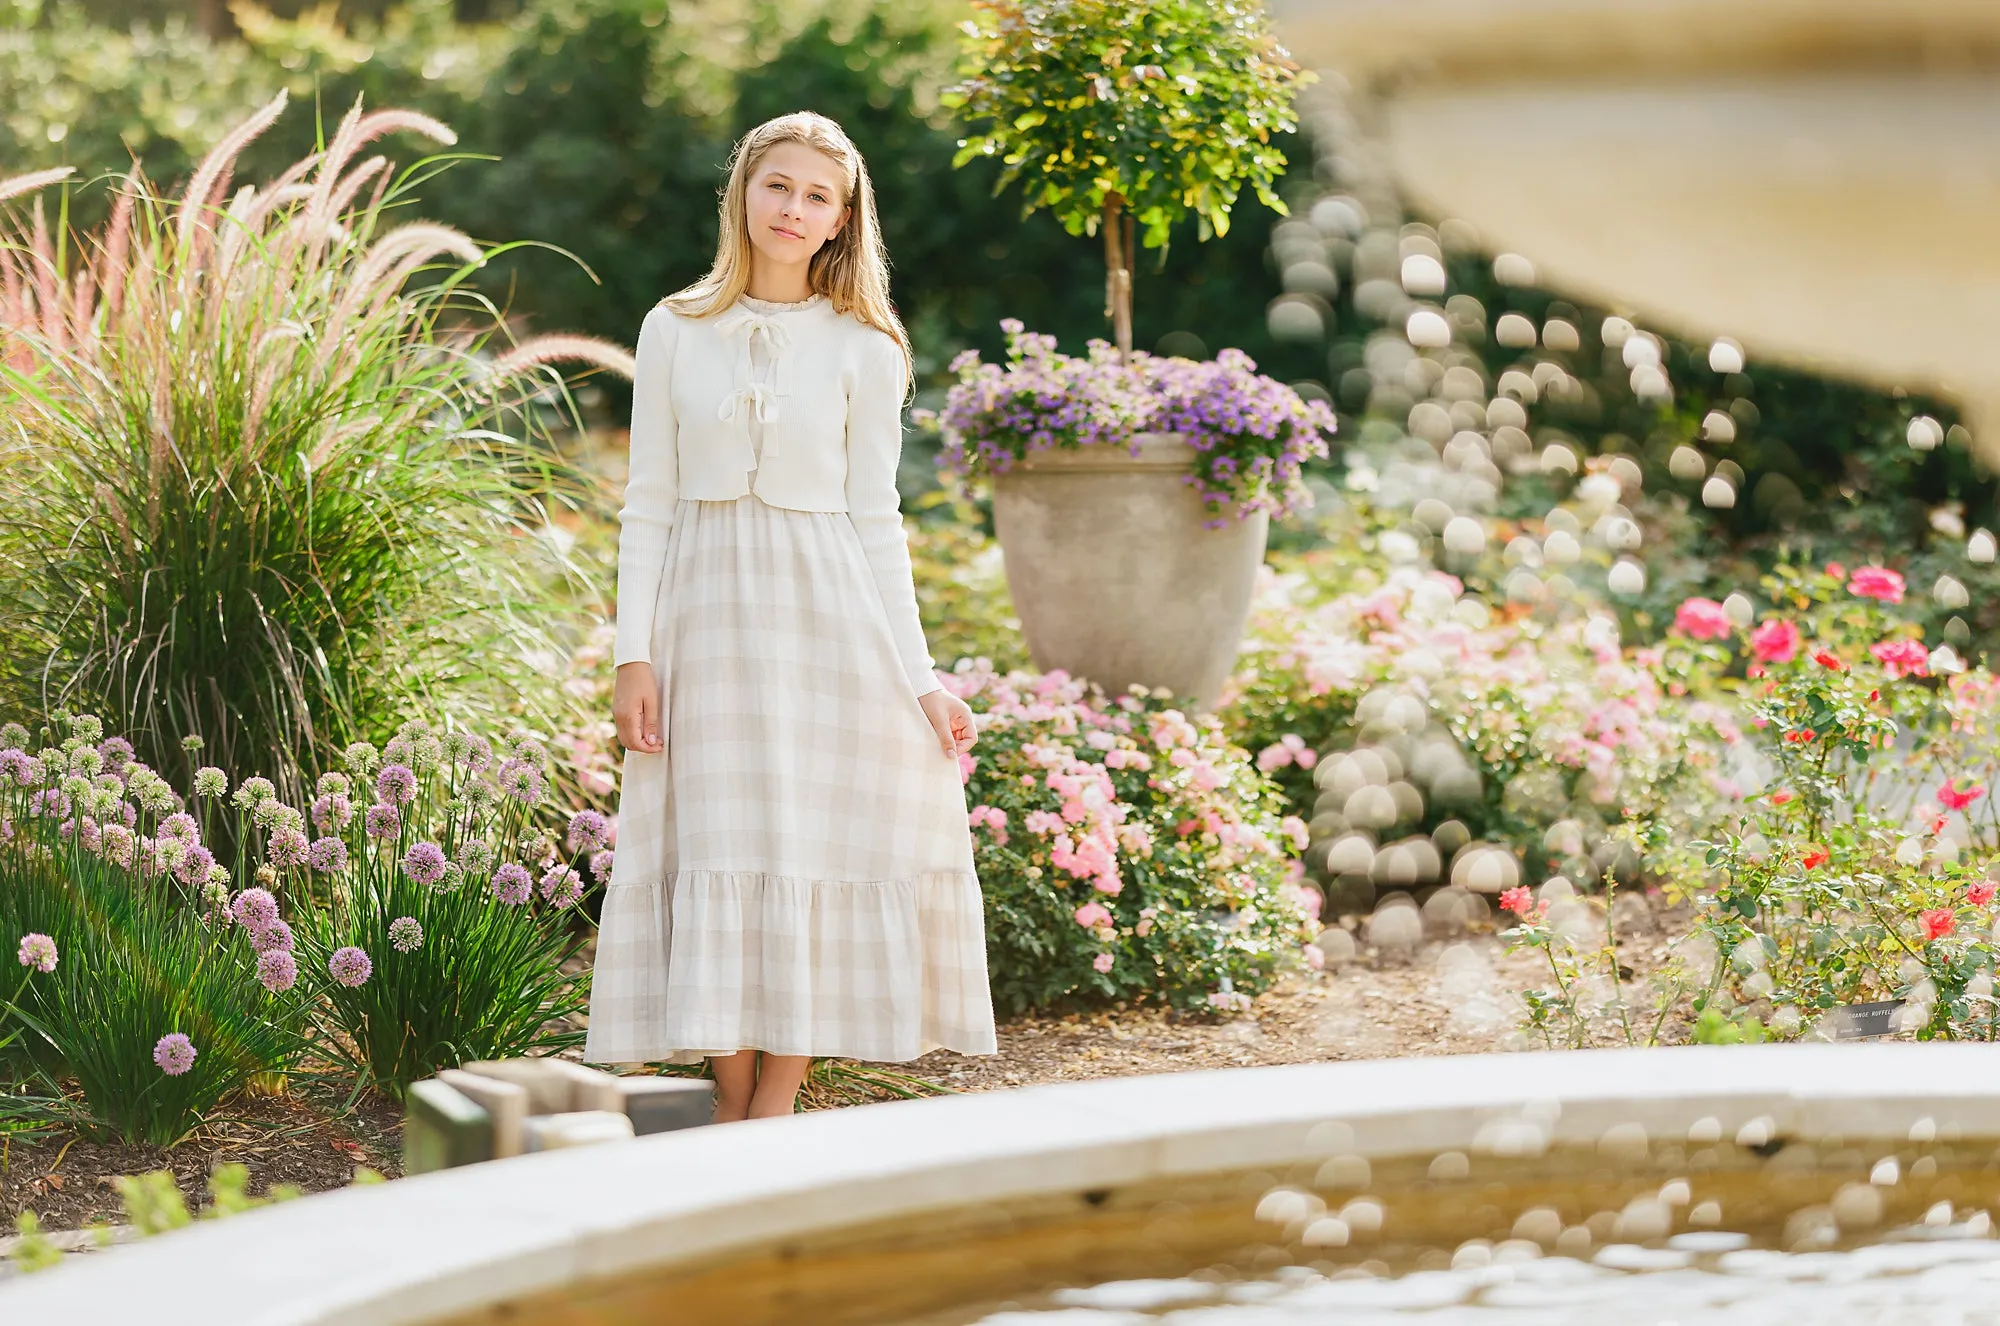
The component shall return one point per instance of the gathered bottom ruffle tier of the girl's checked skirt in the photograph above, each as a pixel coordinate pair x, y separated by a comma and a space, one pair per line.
721, 961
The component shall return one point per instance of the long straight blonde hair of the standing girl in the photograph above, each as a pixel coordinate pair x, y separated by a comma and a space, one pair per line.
851, 269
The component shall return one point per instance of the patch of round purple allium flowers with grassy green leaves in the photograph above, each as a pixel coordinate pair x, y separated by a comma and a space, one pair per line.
267, 931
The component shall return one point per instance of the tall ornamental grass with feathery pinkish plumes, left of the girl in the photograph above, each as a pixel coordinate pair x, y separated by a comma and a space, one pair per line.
255, 483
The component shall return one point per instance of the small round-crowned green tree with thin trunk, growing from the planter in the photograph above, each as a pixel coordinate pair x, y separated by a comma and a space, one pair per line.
1115, 115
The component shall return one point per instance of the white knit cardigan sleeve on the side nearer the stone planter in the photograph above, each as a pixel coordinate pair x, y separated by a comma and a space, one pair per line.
875, 447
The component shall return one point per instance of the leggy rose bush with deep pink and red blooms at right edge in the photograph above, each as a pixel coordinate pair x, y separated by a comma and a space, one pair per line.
1873, 831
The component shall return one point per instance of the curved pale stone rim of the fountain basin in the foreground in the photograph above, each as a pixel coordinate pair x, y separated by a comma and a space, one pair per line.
477, 1237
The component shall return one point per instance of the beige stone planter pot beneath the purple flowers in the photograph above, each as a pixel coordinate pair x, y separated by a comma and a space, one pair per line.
1113, 575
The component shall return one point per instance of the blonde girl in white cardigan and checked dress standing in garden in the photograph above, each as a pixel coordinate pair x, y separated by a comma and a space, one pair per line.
795, 865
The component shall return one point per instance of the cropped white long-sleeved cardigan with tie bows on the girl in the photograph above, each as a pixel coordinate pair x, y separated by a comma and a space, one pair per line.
833, 437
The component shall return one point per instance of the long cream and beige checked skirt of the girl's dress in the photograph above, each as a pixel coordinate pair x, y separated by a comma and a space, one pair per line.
795, 869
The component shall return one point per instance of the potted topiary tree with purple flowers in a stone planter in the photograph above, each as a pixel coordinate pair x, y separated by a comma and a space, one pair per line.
1129, 563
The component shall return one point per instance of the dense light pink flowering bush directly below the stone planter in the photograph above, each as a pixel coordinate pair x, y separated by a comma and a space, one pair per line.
1127, 851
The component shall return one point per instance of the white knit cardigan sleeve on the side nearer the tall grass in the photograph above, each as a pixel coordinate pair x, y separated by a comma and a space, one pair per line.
653, 487
